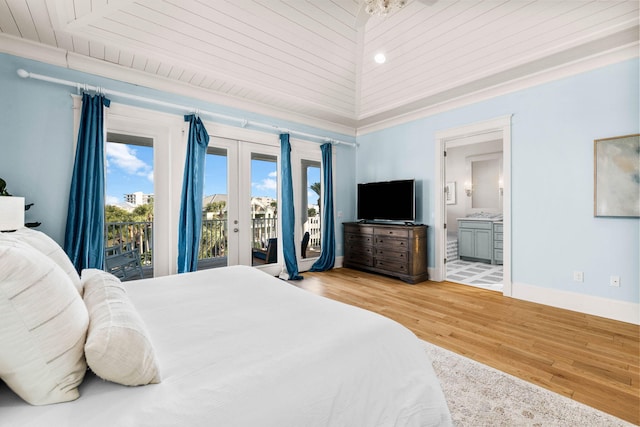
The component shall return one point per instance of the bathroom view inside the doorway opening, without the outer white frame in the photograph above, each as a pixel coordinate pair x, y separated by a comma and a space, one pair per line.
474, 213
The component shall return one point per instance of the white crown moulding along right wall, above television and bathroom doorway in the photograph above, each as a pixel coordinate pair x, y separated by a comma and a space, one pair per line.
566, 70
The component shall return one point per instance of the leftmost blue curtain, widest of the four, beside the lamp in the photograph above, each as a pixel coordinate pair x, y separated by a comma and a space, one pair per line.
84, 236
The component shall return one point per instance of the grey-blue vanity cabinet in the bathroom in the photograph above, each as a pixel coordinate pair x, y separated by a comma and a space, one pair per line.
475, 240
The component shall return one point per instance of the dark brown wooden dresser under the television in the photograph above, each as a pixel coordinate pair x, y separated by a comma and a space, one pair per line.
394, 250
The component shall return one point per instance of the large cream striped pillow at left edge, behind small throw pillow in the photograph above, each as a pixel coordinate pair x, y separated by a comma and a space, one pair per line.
43, 325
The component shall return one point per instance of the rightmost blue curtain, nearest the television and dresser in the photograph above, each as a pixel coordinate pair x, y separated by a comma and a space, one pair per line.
328, 254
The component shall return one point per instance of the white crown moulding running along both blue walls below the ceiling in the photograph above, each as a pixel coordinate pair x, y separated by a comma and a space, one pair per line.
60, 57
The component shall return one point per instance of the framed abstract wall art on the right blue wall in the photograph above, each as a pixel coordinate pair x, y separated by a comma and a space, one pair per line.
617, 176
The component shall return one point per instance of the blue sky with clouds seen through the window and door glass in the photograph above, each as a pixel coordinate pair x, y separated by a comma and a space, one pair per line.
130, 169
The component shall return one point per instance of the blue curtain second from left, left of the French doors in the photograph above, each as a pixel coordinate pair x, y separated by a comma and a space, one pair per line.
190, 221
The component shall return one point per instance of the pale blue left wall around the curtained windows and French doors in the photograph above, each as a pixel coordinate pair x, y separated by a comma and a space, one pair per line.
36, 142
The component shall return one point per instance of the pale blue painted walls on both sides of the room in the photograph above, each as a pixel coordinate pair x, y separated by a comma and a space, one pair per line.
554, 125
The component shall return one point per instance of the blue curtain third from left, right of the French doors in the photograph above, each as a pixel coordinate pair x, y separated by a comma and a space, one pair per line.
288, 214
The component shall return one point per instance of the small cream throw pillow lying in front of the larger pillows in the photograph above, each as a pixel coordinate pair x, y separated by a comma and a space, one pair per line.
118, 347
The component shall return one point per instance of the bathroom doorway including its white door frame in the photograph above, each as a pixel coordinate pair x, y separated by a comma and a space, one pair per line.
473, 215
